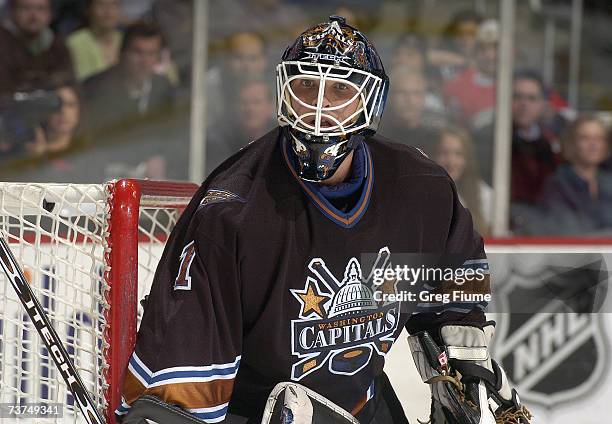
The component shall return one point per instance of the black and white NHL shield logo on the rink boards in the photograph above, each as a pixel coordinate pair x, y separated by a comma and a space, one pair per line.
550, 340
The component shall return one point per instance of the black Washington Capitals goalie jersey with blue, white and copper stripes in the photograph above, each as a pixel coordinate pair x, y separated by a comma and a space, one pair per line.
268, 278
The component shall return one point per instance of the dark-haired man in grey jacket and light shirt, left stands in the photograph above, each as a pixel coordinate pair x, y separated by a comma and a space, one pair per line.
130, 92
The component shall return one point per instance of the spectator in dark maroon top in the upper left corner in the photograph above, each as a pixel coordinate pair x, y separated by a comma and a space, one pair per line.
32, 56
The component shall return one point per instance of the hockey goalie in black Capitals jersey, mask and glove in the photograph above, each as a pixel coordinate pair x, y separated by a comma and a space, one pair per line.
265, 306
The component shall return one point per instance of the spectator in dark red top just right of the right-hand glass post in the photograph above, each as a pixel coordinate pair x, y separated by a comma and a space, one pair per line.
532, 155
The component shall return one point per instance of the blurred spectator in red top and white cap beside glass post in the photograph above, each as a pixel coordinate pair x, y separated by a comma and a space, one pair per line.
471, 94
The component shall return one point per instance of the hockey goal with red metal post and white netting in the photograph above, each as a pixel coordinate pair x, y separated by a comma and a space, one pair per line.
89, 253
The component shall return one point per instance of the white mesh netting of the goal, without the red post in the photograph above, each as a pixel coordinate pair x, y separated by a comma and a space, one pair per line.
58, 235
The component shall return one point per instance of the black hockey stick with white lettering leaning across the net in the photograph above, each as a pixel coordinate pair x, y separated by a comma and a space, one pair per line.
48, 334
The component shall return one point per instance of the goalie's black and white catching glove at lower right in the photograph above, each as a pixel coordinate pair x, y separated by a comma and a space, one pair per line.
467, 386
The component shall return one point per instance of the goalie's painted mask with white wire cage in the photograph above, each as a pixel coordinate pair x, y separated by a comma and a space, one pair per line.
331, 91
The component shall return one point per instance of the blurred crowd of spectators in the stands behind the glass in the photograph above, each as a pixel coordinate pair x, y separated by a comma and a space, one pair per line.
116, 77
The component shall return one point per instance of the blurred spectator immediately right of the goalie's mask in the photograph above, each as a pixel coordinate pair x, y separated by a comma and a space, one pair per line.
407, 120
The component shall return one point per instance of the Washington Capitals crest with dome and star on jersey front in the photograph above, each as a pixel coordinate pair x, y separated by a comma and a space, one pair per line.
340, 325
